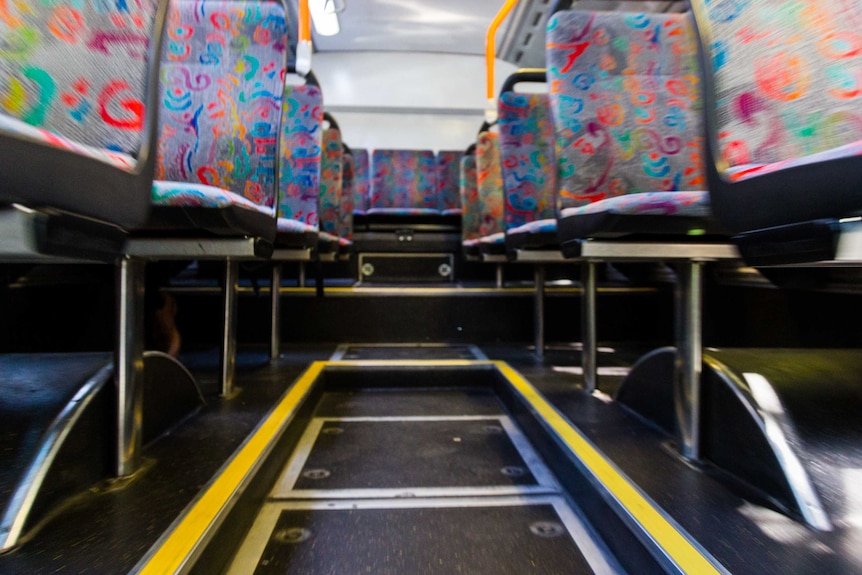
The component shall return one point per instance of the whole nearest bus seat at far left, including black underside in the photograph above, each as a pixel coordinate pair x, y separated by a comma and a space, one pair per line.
78, 120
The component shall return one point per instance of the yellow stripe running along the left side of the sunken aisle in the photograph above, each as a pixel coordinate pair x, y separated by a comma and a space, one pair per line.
176, 549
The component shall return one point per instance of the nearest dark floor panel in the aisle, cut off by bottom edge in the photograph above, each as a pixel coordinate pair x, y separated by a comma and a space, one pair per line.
523, 540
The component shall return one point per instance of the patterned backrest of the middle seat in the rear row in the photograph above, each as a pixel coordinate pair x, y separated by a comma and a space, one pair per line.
404, 182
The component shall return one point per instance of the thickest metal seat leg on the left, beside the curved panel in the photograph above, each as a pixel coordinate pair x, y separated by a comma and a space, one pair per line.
129, 364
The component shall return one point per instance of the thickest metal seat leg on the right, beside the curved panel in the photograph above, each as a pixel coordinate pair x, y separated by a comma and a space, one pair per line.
689, 357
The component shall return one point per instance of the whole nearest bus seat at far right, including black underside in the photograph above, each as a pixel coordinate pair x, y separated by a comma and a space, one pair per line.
784, 132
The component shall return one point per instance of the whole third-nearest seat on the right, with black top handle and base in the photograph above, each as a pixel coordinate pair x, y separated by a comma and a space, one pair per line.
528, 164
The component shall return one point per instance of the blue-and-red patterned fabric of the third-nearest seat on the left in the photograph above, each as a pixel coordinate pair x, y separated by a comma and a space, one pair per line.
301, 141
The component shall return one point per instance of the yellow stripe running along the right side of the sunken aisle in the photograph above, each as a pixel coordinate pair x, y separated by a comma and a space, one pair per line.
674, 544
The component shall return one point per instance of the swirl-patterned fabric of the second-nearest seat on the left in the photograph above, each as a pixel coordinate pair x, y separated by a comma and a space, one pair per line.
223, 70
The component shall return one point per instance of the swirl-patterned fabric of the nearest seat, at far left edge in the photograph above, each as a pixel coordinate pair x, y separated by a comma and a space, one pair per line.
76, 71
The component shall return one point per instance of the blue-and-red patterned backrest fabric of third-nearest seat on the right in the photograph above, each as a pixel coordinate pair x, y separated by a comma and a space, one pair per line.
528, 158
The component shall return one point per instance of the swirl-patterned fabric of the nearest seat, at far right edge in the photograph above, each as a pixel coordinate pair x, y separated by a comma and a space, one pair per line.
787, 79
